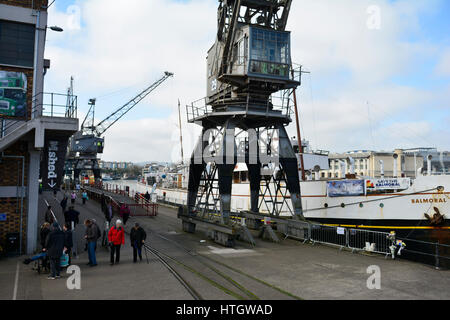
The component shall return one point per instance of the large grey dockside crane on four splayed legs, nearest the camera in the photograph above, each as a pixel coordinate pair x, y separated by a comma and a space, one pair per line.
241, 120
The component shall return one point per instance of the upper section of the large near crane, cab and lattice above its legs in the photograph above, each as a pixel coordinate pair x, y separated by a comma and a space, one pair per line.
253, 61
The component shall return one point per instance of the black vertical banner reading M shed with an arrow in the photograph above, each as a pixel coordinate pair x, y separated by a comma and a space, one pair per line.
52, 165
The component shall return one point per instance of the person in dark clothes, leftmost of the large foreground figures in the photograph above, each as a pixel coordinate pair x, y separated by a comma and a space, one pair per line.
54, 246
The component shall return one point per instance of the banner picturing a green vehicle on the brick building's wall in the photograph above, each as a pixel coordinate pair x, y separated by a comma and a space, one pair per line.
13, 94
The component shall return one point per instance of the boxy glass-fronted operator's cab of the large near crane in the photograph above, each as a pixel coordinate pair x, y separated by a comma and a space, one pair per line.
260, 61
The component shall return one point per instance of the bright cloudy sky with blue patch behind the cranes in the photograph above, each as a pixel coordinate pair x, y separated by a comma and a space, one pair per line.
379, 70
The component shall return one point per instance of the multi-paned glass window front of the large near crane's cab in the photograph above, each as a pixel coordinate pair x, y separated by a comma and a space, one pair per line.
269, 52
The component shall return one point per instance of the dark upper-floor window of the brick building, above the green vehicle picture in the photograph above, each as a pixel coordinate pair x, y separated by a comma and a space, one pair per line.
17, 43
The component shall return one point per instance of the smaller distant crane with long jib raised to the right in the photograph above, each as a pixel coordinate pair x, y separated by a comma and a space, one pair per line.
86, 144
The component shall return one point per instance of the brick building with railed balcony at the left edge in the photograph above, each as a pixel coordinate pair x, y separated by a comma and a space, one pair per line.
25, 121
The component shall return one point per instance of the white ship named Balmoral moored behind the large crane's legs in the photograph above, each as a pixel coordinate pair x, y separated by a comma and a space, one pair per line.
414, 207
